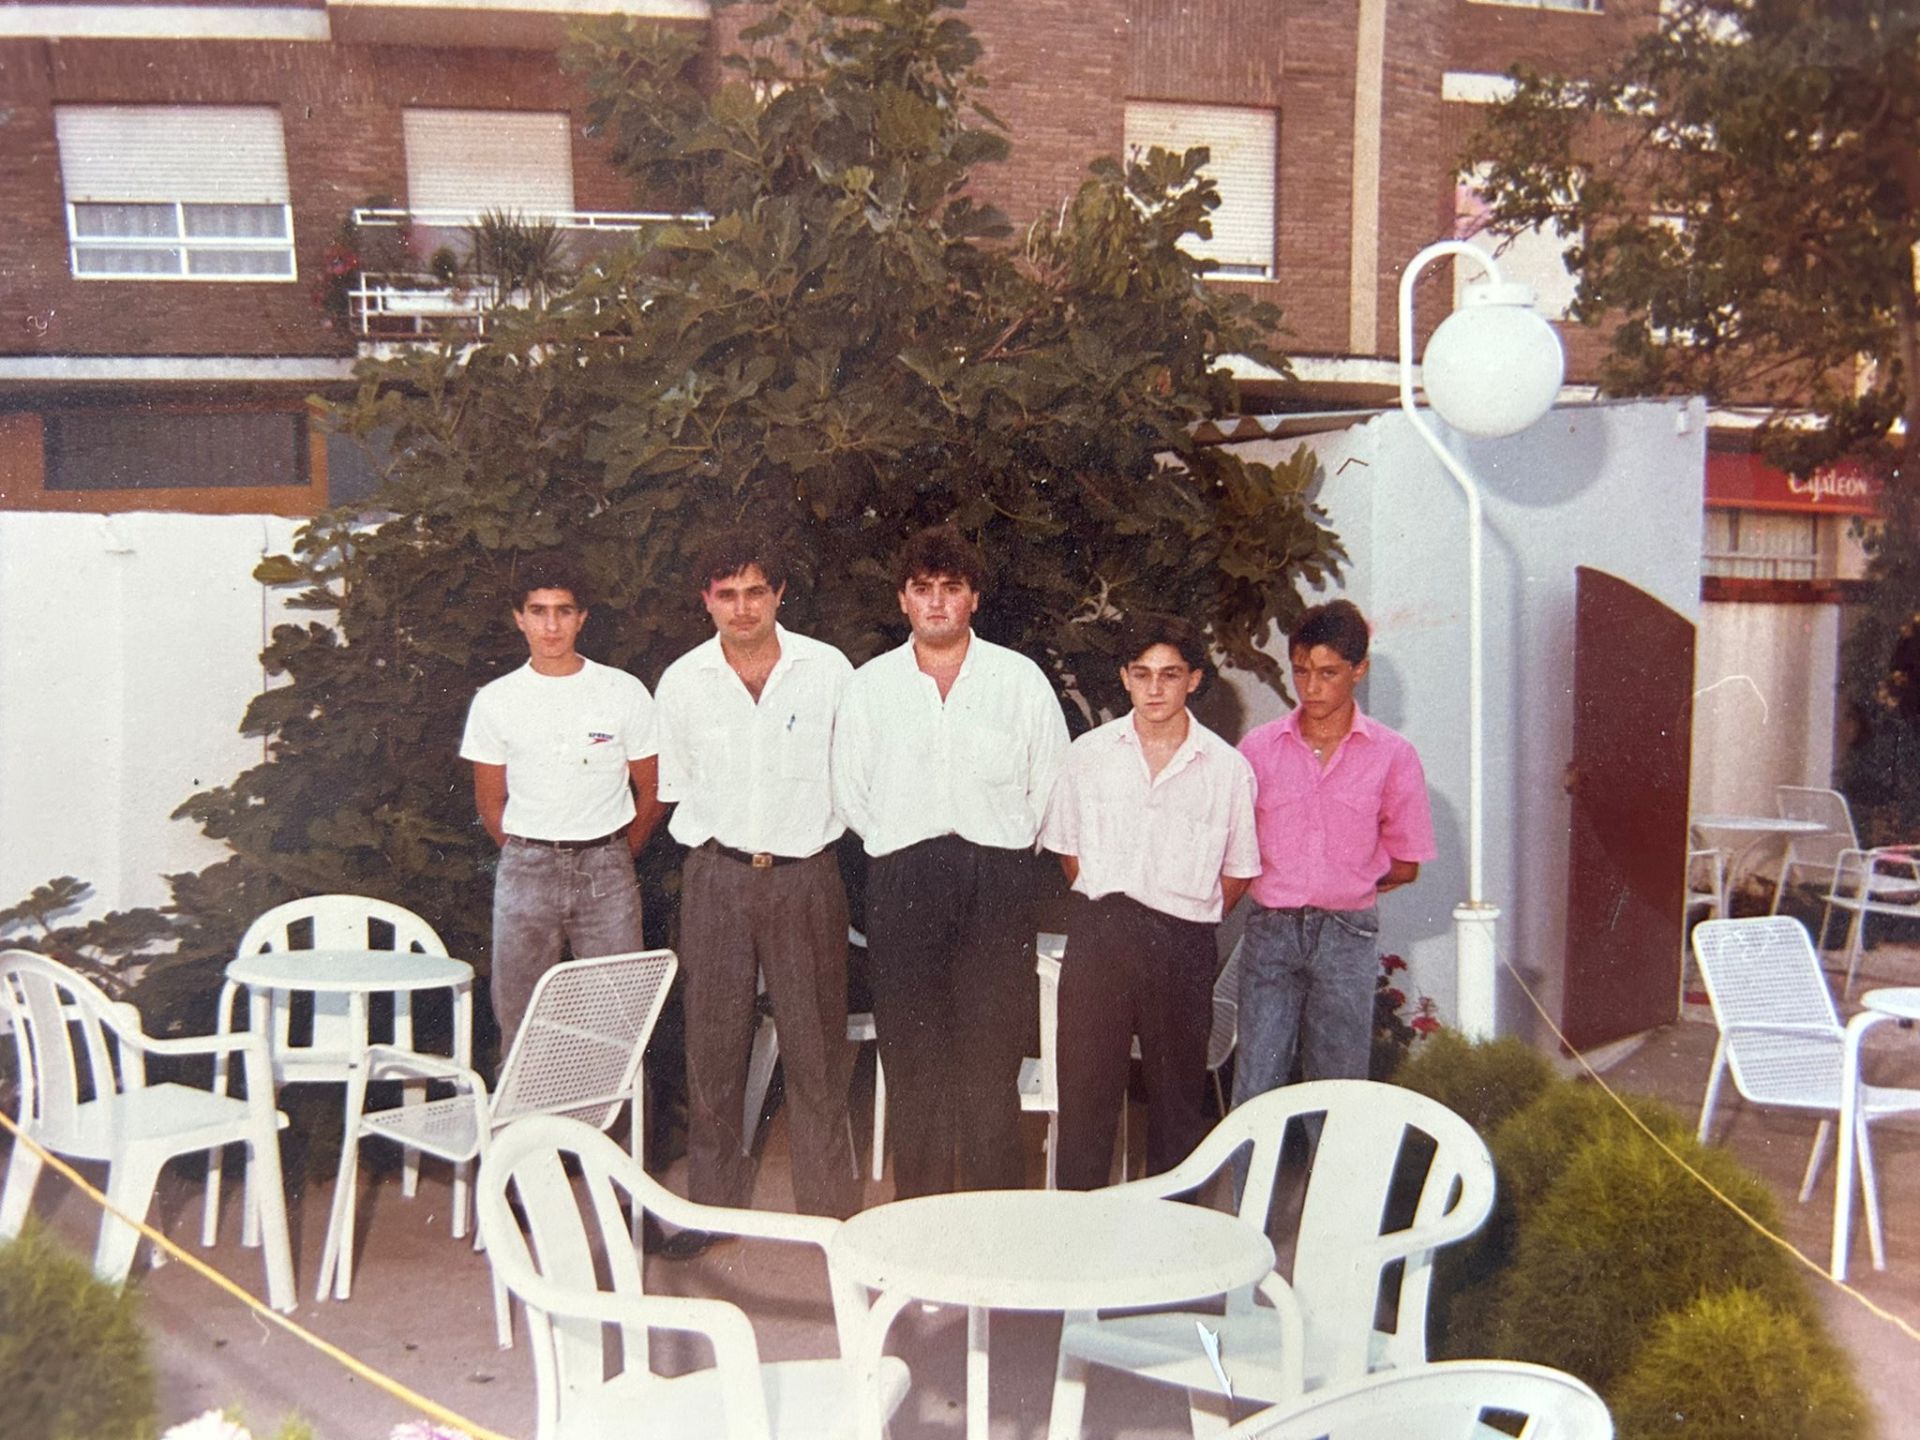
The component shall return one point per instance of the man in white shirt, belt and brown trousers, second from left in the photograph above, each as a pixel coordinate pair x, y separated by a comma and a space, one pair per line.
746, 742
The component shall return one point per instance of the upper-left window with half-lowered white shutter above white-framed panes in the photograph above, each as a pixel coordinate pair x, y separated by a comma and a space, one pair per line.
176, 193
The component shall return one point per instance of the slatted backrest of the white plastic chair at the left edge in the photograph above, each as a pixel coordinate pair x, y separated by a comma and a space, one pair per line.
68, 1042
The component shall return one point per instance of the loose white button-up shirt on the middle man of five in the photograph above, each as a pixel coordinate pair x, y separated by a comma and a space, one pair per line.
980, 765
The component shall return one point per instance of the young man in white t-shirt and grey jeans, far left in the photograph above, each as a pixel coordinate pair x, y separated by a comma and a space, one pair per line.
564, 759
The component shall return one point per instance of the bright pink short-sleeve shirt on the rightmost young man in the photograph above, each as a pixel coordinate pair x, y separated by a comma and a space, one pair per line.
1330, 834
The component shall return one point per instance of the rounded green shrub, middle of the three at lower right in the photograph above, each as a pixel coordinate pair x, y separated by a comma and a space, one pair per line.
1623, 1239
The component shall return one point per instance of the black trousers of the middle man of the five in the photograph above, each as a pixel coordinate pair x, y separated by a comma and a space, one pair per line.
949, 936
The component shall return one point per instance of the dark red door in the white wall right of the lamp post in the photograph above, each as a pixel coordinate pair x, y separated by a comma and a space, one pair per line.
1629, 780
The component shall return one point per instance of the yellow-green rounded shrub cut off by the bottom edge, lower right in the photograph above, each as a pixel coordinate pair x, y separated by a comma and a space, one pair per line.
1733, 1366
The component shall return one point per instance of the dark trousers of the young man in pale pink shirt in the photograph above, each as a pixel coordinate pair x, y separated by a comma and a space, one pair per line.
1132, 971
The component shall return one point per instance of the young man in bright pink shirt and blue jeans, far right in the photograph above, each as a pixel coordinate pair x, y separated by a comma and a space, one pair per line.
1343, 817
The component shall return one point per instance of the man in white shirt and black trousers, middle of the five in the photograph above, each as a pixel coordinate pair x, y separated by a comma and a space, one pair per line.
944, 757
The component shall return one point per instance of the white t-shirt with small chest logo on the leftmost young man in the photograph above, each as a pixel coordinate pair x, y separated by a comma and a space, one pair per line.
567, 744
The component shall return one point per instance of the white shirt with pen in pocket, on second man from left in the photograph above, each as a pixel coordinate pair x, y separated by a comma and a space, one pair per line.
754, 777
